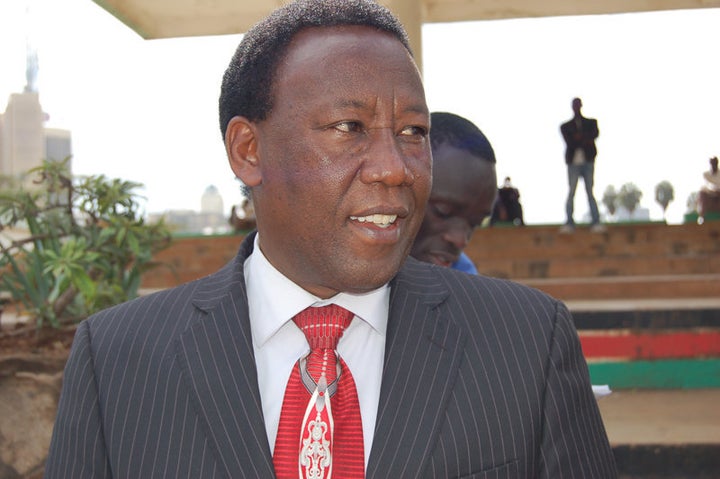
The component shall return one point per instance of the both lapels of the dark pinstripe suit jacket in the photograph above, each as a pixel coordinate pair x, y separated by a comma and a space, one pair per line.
422, 356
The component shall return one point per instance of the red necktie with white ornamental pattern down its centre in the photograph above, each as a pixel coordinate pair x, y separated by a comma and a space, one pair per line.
320, 432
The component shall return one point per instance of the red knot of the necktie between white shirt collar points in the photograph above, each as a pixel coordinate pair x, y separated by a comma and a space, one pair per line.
323, 326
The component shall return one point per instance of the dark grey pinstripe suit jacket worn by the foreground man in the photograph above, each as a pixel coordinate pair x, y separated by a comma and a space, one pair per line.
483, 379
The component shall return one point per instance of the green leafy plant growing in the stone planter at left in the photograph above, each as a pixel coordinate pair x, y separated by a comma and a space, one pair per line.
78, 244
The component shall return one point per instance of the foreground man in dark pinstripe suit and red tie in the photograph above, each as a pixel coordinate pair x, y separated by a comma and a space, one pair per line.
324, 119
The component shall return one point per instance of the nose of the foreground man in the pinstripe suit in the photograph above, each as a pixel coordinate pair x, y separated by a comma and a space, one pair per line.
385, 161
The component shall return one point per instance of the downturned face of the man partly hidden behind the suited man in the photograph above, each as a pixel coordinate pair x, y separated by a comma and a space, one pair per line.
463, 191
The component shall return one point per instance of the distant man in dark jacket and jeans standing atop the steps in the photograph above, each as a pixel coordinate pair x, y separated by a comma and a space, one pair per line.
579, 134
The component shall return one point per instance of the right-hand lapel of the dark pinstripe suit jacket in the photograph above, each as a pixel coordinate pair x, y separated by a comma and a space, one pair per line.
422, 356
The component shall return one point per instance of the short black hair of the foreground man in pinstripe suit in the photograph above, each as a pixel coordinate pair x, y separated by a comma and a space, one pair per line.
247, 87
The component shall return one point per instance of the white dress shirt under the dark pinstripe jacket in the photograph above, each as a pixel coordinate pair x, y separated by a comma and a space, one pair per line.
278, 343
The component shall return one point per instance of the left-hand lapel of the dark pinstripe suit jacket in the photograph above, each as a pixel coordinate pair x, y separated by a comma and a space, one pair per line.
218, 364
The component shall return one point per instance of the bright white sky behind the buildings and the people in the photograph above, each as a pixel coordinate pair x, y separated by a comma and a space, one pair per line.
146, 110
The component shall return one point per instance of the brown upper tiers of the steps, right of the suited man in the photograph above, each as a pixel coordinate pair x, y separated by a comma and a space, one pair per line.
650, 260
